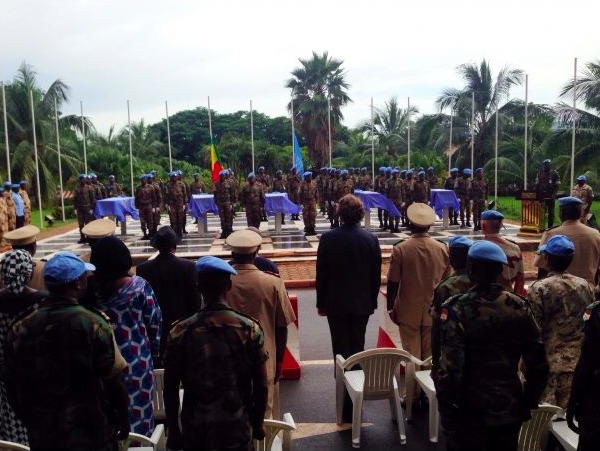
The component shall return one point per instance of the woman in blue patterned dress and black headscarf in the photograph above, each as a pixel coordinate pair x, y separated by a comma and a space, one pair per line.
133, 309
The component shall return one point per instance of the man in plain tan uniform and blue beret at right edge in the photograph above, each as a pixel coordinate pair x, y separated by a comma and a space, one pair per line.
586, 260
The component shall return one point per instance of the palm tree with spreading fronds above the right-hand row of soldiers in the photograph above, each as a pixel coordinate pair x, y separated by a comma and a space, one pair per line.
488, 95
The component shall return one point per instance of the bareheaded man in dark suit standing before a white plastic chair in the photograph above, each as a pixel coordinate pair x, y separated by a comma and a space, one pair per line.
348, 281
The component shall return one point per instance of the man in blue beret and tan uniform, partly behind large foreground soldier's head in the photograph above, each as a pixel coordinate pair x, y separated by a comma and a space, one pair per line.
513, 273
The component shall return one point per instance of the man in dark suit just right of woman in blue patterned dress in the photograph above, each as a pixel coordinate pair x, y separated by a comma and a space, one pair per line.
173, 280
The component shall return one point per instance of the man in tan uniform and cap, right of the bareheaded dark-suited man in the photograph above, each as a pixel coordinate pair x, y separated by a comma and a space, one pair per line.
417, 266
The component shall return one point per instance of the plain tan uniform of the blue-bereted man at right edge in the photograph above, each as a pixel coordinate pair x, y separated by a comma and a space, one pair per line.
587, 248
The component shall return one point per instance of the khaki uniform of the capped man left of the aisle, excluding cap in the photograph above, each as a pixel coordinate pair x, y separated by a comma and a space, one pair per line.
263, 297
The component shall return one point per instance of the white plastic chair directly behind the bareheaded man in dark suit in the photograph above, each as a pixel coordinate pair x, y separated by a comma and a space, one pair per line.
375, 380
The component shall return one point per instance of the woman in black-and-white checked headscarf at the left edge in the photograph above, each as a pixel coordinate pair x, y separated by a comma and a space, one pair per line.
16, 269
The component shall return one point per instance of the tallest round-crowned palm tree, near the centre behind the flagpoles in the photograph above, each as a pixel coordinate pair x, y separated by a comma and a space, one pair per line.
318, 86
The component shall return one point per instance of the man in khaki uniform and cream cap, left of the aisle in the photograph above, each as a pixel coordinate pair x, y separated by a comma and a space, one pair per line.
262, 296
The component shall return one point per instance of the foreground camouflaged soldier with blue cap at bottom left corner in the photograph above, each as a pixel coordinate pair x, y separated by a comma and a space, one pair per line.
63, 370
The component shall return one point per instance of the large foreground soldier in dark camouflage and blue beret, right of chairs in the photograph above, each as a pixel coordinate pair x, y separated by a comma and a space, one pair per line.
485, 333
